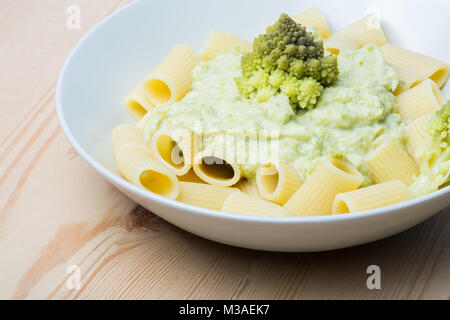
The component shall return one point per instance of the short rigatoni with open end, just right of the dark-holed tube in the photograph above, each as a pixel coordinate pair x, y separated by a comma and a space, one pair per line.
277, 182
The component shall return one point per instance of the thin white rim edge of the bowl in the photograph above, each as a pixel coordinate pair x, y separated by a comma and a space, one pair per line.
208, 213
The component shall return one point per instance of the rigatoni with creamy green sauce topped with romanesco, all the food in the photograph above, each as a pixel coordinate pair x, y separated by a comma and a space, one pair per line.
298, 122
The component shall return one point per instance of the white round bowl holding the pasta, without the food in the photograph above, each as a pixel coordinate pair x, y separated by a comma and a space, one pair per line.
121, 50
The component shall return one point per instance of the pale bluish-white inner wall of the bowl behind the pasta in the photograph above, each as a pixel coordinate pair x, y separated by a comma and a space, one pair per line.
115, 56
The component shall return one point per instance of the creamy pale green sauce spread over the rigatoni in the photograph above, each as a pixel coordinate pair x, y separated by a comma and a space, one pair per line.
347, 119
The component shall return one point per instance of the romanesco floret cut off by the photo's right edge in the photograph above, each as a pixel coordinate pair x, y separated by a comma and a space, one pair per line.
434, 155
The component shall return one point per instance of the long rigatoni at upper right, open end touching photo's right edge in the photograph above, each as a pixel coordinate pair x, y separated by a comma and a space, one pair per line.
428, 67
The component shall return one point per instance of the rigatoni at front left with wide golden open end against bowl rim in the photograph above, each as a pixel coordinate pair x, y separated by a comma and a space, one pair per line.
138, 168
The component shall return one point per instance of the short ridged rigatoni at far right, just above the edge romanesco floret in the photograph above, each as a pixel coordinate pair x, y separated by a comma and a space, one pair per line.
420, 100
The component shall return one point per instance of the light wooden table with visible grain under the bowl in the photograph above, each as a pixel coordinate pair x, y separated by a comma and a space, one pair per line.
55, 211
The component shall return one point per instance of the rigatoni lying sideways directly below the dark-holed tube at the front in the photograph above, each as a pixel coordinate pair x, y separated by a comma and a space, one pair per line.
195, 194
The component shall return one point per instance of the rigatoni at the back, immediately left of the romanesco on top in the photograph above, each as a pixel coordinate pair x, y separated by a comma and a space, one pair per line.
218, 43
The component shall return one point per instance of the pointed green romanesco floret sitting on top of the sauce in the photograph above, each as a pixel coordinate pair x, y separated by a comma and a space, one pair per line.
287, 59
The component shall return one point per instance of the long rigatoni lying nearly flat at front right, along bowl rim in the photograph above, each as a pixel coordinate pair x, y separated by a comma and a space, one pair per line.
373, 197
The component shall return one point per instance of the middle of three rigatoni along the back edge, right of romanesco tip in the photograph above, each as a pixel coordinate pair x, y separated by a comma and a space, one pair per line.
365, 31
